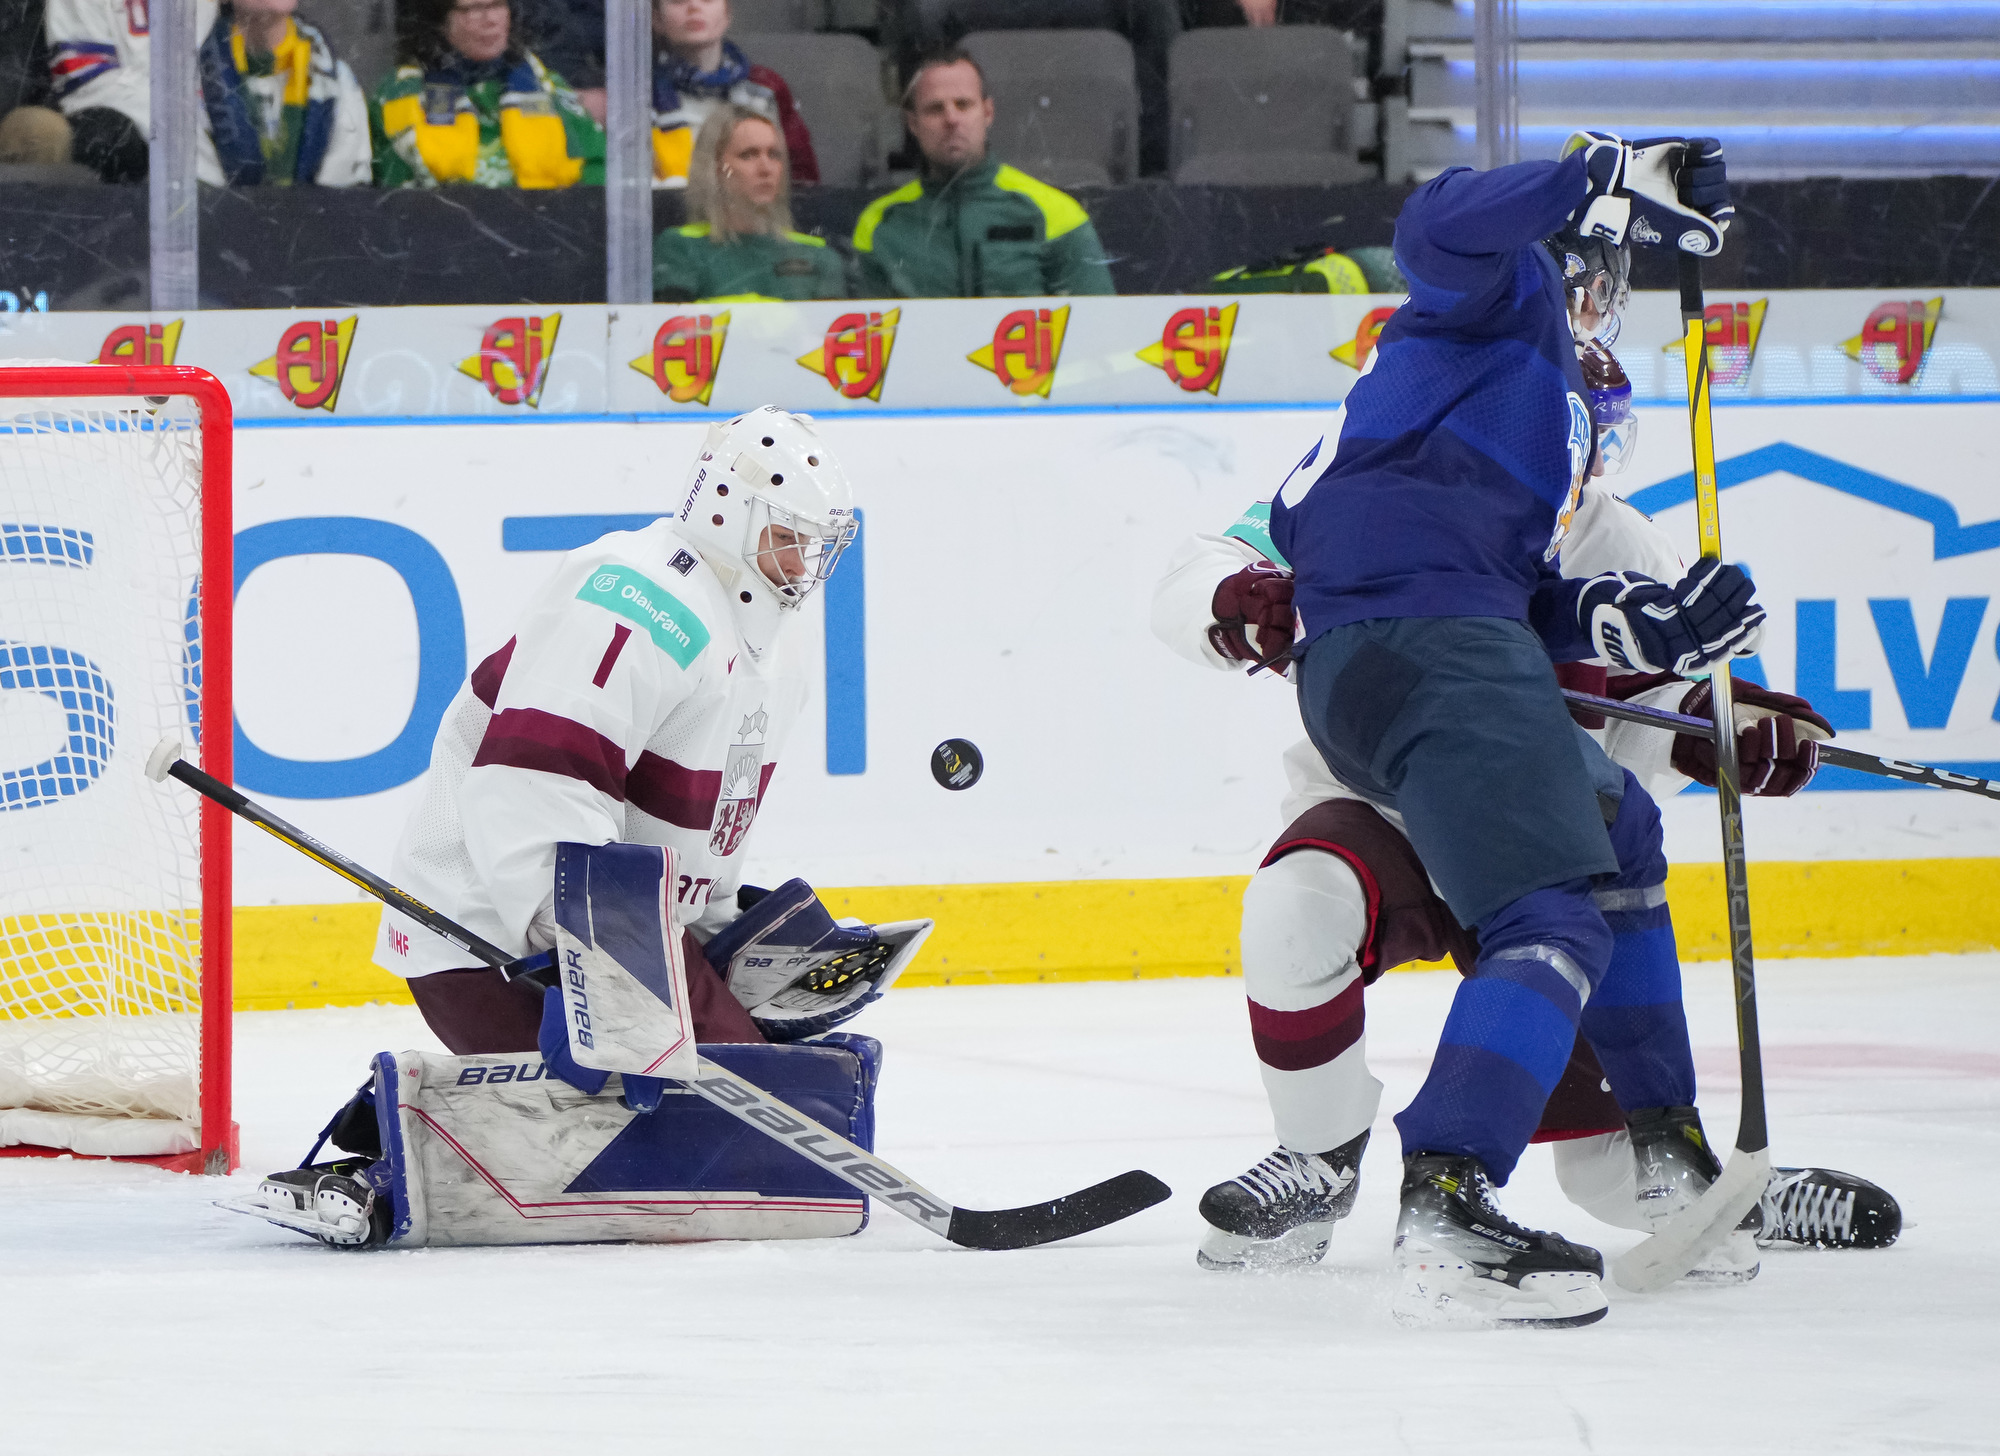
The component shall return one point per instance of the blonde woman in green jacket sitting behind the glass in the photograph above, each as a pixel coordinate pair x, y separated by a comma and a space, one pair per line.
741, 243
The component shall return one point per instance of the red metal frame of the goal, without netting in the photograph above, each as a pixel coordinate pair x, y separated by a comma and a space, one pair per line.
219, 1153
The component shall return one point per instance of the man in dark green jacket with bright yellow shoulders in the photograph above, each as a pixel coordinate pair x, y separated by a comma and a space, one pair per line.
971, 227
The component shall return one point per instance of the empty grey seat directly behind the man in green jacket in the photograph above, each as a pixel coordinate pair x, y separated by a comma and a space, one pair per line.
1065, 103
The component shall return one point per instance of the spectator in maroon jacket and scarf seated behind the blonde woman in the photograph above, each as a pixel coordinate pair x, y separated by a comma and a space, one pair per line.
699, 69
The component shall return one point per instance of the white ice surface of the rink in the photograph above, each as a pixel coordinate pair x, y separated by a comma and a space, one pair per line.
139, 1319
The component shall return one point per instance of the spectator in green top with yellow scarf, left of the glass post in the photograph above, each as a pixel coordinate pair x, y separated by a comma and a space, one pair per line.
471, 105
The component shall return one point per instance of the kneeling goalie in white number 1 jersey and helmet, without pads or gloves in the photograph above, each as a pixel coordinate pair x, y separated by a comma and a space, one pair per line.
645, 699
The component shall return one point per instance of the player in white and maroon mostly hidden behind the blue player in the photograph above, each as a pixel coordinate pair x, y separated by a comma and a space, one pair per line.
1343, 897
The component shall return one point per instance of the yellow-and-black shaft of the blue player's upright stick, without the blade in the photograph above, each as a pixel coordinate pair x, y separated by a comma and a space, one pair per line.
1753, 1133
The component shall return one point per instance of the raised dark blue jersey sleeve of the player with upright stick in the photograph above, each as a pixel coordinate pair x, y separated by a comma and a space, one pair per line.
1461, 231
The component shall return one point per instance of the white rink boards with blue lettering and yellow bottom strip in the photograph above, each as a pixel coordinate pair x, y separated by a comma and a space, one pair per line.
1001, 595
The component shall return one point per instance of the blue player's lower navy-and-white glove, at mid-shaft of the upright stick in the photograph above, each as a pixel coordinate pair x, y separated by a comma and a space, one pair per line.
1651, 627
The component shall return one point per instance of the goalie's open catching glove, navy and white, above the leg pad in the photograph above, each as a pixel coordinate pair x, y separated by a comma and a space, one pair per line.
799, 971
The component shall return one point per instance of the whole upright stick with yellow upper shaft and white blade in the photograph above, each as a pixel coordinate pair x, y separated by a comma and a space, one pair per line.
1681, 1245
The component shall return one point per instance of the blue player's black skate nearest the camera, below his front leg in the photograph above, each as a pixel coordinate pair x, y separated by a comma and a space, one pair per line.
1463, 1263
